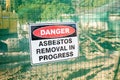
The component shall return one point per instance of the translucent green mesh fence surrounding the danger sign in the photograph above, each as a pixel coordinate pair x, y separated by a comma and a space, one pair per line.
98, 23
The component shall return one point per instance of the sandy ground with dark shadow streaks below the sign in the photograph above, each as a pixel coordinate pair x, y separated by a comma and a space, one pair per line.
16, 66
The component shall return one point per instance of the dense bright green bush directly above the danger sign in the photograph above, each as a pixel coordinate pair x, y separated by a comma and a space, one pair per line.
37, 10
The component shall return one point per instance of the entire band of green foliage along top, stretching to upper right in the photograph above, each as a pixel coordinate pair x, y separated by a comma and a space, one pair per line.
42, 10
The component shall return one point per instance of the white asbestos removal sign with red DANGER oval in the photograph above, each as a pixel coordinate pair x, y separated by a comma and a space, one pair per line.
53, 42
